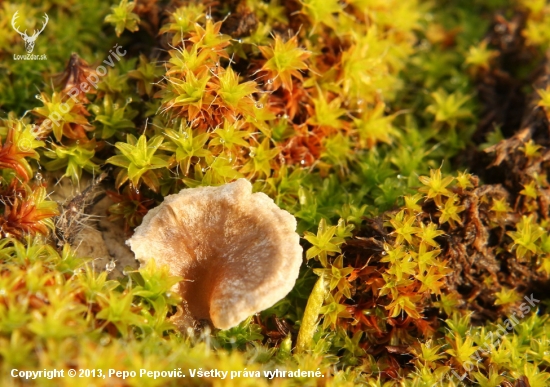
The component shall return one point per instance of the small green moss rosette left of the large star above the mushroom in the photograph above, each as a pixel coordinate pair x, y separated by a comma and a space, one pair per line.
74, 158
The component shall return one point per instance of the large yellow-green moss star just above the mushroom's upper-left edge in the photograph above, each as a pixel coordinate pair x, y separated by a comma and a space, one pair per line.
138, 161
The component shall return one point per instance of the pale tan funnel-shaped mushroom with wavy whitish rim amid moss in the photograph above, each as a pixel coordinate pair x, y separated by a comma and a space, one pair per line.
237, 251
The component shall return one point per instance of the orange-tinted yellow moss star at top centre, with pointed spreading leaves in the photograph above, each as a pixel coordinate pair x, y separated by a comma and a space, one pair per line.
284, 60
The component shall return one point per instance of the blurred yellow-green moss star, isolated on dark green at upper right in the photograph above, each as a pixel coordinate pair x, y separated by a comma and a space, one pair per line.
449, 108
